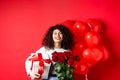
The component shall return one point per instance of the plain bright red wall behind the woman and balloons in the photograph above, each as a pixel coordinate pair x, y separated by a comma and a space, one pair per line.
24, 22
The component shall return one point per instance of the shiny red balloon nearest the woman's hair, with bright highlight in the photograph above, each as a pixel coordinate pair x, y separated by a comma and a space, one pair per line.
80, 28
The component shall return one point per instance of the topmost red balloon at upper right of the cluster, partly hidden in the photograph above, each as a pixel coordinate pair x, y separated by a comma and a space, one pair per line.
95, 25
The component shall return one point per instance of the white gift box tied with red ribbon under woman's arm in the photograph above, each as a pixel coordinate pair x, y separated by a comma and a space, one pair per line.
39, 65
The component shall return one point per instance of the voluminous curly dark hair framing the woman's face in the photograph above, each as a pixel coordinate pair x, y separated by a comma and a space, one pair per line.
67, 42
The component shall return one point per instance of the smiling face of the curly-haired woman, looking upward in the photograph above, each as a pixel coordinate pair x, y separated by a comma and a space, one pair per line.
57, 36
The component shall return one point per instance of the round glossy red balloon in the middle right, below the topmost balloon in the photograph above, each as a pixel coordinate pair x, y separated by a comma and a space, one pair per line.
92, 39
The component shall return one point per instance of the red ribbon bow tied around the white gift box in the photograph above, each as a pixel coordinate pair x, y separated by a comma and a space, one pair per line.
41, 62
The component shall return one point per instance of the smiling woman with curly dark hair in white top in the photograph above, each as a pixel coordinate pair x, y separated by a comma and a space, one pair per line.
58, 38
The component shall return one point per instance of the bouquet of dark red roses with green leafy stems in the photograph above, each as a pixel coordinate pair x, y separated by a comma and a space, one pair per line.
63, 65
